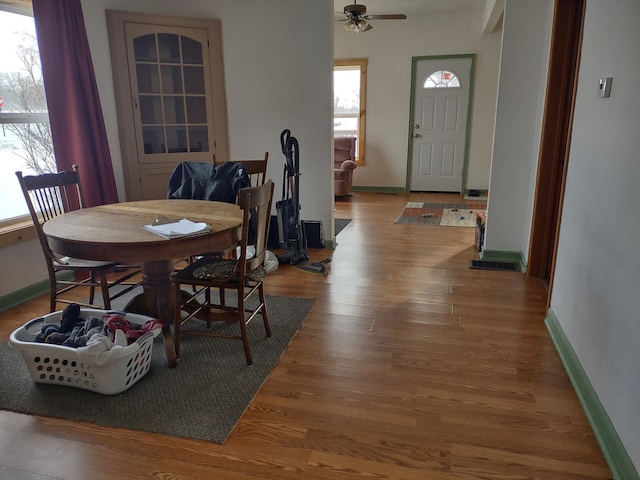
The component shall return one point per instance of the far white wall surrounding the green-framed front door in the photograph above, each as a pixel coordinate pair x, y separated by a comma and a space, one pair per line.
390, 47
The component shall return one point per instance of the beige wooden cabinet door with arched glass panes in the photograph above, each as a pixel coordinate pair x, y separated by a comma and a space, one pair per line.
176, 109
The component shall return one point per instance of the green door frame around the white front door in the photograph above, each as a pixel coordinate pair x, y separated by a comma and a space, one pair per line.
414, 63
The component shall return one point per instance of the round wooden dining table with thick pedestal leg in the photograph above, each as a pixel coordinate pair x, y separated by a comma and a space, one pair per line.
116, 232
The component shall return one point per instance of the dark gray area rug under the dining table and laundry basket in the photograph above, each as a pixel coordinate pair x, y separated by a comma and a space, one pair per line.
203, 398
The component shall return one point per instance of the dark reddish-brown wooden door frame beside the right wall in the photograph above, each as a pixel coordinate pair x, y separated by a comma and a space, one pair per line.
555, 142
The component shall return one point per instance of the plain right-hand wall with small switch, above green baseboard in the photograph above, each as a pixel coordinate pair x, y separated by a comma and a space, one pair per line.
595, 290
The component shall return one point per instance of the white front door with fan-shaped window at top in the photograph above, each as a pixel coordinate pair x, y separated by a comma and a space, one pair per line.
442, 87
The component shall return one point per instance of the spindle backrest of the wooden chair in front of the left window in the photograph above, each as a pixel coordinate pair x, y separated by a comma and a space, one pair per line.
49, 195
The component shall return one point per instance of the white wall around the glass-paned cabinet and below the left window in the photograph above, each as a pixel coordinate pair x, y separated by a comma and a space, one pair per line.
278, 74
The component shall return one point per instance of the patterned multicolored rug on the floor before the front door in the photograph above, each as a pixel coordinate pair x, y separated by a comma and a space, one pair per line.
447, 214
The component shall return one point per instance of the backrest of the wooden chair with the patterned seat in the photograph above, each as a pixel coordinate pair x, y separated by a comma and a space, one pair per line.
255, 203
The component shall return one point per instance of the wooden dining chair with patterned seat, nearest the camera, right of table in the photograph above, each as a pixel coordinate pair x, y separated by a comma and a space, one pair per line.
244, 275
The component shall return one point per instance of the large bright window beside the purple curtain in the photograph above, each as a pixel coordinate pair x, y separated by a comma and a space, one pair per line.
25, 137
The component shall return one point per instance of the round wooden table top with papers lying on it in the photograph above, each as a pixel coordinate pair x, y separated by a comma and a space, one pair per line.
116, 231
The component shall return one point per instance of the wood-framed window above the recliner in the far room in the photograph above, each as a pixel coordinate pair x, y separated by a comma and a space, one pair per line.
349, 101
